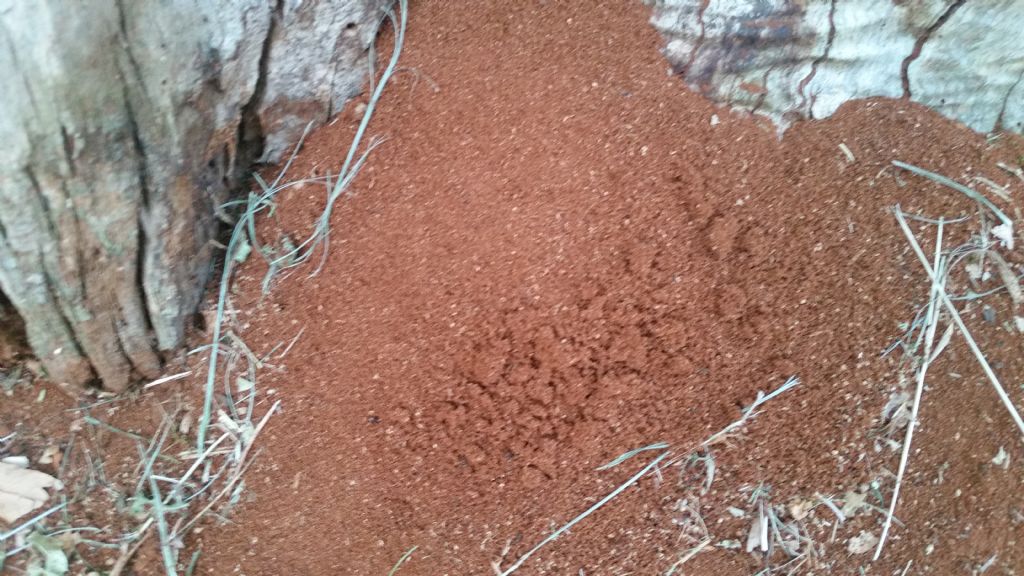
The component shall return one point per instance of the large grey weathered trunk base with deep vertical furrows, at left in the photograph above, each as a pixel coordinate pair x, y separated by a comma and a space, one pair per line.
125, 124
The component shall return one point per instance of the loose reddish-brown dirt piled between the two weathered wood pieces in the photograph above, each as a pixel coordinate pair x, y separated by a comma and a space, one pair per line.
559, 257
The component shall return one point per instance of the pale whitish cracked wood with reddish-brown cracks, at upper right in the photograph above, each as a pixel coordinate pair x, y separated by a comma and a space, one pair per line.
791, 60
